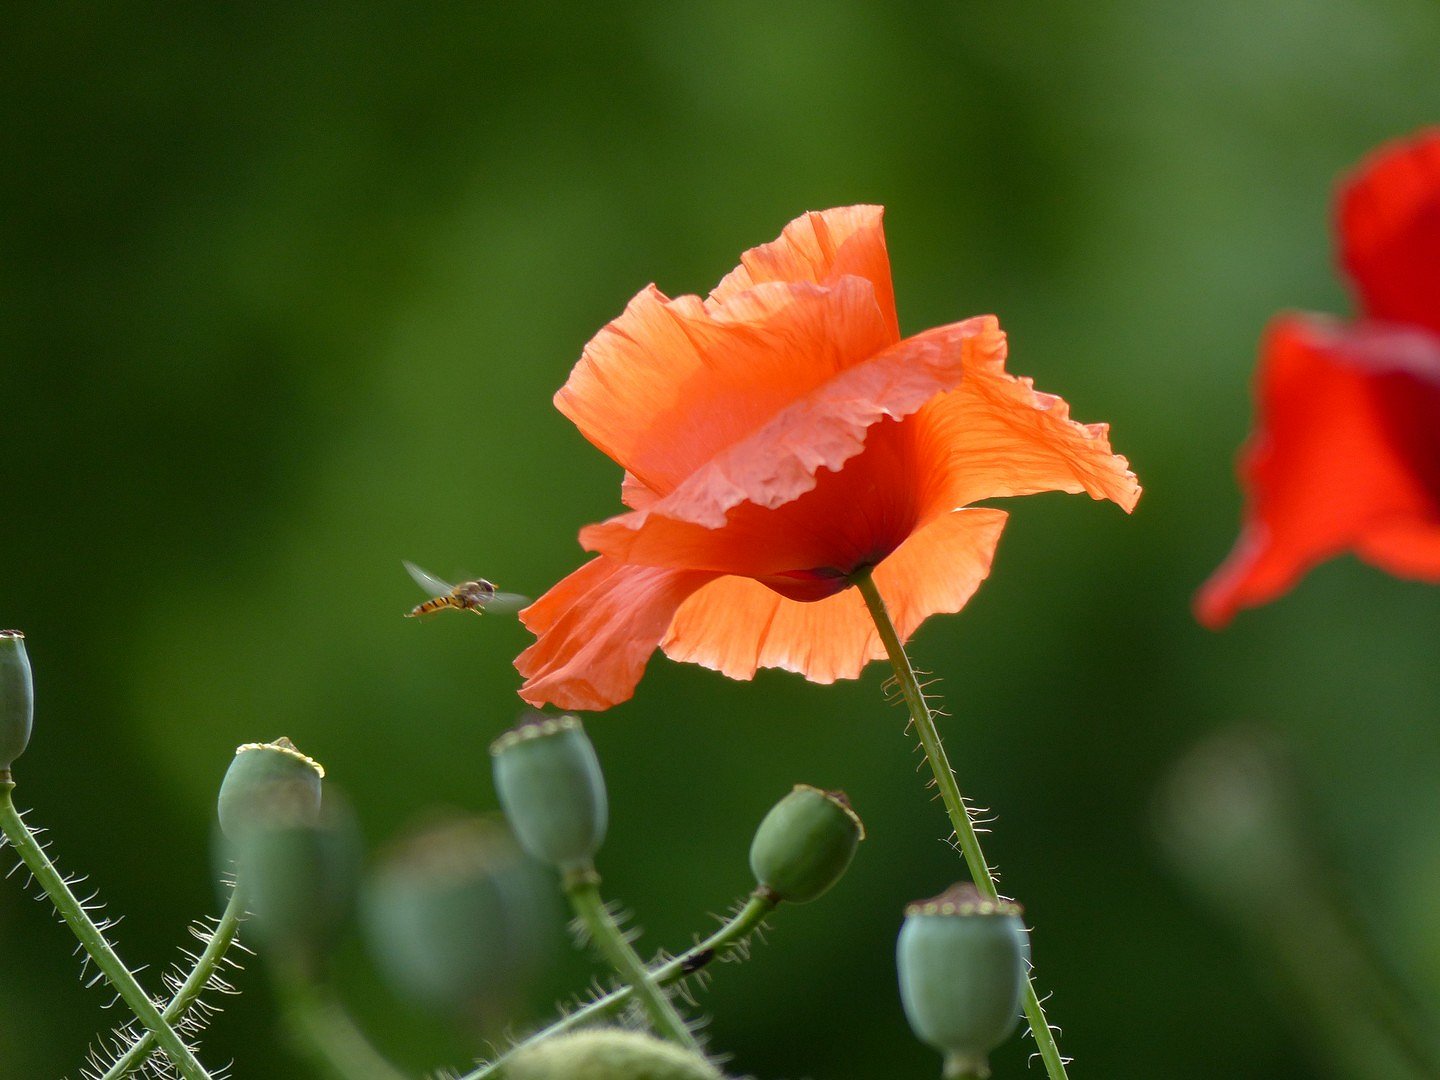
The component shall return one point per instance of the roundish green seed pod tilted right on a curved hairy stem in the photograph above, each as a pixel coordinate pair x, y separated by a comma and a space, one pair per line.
806, 845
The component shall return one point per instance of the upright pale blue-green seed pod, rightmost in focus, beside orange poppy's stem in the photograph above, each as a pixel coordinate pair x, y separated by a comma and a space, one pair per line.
963, 970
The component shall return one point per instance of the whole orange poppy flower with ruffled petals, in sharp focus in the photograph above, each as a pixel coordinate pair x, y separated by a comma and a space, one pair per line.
780, 437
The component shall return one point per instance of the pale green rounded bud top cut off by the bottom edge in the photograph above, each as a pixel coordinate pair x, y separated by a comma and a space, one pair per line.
608, 1055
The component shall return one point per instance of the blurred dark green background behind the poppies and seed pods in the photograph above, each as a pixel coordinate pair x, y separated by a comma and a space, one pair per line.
286, 292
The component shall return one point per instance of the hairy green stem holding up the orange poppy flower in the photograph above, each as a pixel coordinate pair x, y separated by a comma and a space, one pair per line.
924, 721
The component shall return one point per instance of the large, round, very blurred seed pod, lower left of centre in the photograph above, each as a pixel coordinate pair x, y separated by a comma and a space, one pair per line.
457, 917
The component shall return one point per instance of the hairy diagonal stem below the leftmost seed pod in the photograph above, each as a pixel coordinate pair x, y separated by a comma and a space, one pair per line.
94, 941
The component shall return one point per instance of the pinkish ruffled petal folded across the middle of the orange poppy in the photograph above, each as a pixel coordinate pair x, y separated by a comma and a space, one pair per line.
714, 519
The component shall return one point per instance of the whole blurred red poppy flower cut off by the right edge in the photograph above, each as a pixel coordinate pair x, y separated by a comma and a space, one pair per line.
1346, 456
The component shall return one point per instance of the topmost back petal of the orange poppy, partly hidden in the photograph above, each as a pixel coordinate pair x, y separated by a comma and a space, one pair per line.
822, 247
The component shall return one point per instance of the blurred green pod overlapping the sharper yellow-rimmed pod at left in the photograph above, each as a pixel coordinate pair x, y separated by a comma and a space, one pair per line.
300, 872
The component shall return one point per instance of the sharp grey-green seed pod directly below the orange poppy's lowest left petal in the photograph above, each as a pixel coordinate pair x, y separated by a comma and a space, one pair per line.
552, 790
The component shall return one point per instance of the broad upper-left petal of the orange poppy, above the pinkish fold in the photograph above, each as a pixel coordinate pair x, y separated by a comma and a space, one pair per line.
672, 384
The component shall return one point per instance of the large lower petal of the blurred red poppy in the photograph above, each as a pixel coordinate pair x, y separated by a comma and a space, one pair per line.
1346, 457
